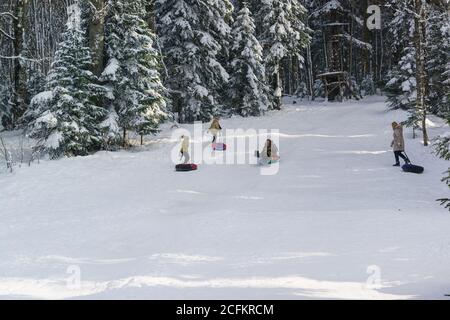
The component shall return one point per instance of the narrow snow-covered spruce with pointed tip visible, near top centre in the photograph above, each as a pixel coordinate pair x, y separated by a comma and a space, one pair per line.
248, 87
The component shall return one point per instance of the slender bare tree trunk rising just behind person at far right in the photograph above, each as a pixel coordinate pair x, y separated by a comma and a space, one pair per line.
419, 39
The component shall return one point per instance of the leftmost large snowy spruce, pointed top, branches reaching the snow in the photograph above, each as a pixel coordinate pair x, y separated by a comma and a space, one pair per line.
65, 118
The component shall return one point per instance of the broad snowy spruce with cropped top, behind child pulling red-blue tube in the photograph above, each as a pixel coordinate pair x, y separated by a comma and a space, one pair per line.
193, 36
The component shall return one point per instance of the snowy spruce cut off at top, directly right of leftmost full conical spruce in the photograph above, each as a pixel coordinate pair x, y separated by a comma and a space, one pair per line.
132, 73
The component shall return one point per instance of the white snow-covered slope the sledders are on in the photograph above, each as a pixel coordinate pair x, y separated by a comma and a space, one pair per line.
335, 219
